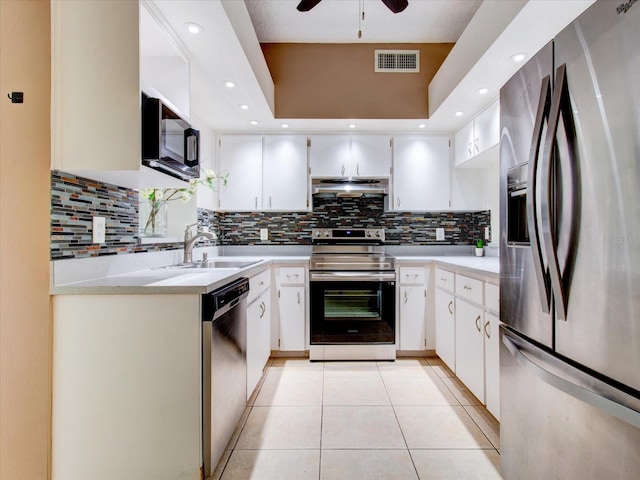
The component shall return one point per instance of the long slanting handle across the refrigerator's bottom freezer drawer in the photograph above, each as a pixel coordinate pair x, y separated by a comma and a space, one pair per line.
576, 383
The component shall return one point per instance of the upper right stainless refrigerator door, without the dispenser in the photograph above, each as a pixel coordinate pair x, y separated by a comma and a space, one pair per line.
598, 188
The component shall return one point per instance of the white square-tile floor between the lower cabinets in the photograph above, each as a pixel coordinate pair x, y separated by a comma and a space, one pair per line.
405, 420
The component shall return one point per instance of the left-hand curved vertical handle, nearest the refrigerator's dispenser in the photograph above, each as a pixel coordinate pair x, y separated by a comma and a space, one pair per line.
544, 107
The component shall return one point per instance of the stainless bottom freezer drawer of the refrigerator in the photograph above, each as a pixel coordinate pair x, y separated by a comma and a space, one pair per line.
557, 424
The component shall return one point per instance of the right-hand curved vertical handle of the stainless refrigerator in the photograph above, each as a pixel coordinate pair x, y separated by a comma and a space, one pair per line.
560, 104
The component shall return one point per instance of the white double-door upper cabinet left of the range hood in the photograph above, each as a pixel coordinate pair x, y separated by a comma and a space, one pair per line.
264, 172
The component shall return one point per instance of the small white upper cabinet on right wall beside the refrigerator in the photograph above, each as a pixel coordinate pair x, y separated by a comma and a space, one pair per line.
475, 142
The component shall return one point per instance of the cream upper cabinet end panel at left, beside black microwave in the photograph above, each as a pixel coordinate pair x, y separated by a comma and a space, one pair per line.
96, 93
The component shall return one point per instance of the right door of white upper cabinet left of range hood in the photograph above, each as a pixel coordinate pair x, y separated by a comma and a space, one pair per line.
284, 168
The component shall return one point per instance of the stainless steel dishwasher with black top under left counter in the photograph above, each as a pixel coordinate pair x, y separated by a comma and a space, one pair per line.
224, 367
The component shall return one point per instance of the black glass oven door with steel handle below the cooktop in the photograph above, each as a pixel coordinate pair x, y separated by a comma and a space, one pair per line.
352, 308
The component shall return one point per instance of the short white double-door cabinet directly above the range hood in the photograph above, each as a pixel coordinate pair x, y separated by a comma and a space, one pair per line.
350, 155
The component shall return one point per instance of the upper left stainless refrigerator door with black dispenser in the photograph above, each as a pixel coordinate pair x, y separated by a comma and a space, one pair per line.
524, 294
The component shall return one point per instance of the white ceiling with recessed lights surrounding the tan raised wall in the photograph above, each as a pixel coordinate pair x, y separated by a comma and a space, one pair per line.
486, 33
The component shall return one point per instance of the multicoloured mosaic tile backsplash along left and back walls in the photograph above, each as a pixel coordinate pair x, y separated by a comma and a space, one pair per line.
75, 200
